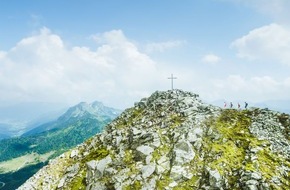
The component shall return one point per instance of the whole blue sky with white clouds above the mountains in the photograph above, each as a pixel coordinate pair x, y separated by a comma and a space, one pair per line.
120, 51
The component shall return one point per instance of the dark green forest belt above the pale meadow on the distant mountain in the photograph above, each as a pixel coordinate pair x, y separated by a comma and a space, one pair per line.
58, 139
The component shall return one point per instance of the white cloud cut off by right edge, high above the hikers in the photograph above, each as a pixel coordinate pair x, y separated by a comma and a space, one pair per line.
270, 42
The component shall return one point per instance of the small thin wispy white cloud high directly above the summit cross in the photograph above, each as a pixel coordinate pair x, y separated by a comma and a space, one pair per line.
163, 46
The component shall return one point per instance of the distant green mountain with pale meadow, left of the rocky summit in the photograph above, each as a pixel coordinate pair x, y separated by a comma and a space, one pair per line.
50, 140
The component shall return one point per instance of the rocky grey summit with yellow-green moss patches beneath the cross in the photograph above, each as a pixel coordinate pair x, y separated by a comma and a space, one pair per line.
172, 140
